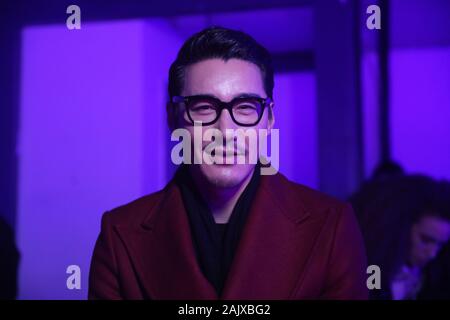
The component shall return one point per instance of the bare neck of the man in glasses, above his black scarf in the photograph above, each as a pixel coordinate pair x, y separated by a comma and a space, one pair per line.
221, 200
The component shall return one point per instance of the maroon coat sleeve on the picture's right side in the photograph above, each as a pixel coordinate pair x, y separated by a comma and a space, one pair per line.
346, 276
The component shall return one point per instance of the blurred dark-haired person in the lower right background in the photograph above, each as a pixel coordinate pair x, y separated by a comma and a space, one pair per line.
405, 221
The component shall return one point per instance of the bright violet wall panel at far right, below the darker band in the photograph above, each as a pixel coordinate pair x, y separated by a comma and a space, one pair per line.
420, 109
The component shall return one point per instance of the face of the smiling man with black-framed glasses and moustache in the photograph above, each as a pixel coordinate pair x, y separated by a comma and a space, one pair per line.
225, 81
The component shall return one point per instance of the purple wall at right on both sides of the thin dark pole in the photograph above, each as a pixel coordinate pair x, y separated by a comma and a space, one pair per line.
418, 88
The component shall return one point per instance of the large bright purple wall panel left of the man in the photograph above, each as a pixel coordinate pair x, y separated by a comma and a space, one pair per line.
92, 102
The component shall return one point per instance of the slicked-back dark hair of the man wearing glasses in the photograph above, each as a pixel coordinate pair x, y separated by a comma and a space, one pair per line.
222, 43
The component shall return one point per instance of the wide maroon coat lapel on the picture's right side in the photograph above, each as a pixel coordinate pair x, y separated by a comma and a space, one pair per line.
275, 245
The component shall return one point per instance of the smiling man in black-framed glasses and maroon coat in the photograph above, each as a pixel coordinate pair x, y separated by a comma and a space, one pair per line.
224, 231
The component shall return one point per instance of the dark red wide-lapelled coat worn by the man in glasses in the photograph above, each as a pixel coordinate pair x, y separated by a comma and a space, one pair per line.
297, 244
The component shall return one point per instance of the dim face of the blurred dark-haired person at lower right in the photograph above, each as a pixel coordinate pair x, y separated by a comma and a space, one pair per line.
428, 235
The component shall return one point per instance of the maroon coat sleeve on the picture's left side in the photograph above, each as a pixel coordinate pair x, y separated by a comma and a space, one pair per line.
103, 278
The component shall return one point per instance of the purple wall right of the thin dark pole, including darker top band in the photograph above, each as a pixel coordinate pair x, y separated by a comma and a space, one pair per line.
419, 85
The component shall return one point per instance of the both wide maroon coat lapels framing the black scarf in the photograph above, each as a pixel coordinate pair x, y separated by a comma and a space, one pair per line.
268, 263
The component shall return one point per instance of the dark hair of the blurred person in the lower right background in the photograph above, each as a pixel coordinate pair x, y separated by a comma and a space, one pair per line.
386, 209
